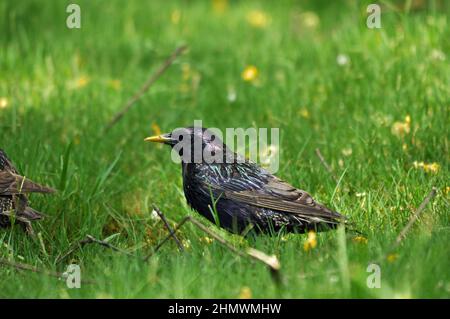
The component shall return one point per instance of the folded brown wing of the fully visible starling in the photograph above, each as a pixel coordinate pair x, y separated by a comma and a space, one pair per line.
278, 195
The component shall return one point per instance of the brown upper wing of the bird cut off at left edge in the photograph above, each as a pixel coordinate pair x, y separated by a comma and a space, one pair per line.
13, 184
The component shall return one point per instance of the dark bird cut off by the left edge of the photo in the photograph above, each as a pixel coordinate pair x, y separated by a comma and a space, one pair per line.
13, 199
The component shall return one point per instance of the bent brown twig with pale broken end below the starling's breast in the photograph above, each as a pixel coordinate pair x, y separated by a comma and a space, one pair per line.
270, 261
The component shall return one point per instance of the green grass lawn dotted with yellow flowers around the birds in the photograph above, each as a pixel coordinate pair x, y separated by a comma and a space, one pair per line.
106, 184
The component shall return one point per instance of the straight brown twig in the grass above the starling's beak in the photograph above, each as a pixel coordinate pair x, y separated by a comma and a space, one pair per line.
152, 79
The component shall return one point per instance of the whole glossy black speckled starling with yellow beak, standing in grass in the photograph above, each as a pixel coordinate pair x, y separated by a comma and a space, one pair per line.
238, 194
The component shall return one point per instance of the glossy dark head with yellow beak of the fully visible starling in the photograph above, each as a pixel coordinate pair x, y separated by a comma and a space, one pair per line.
195, 144
